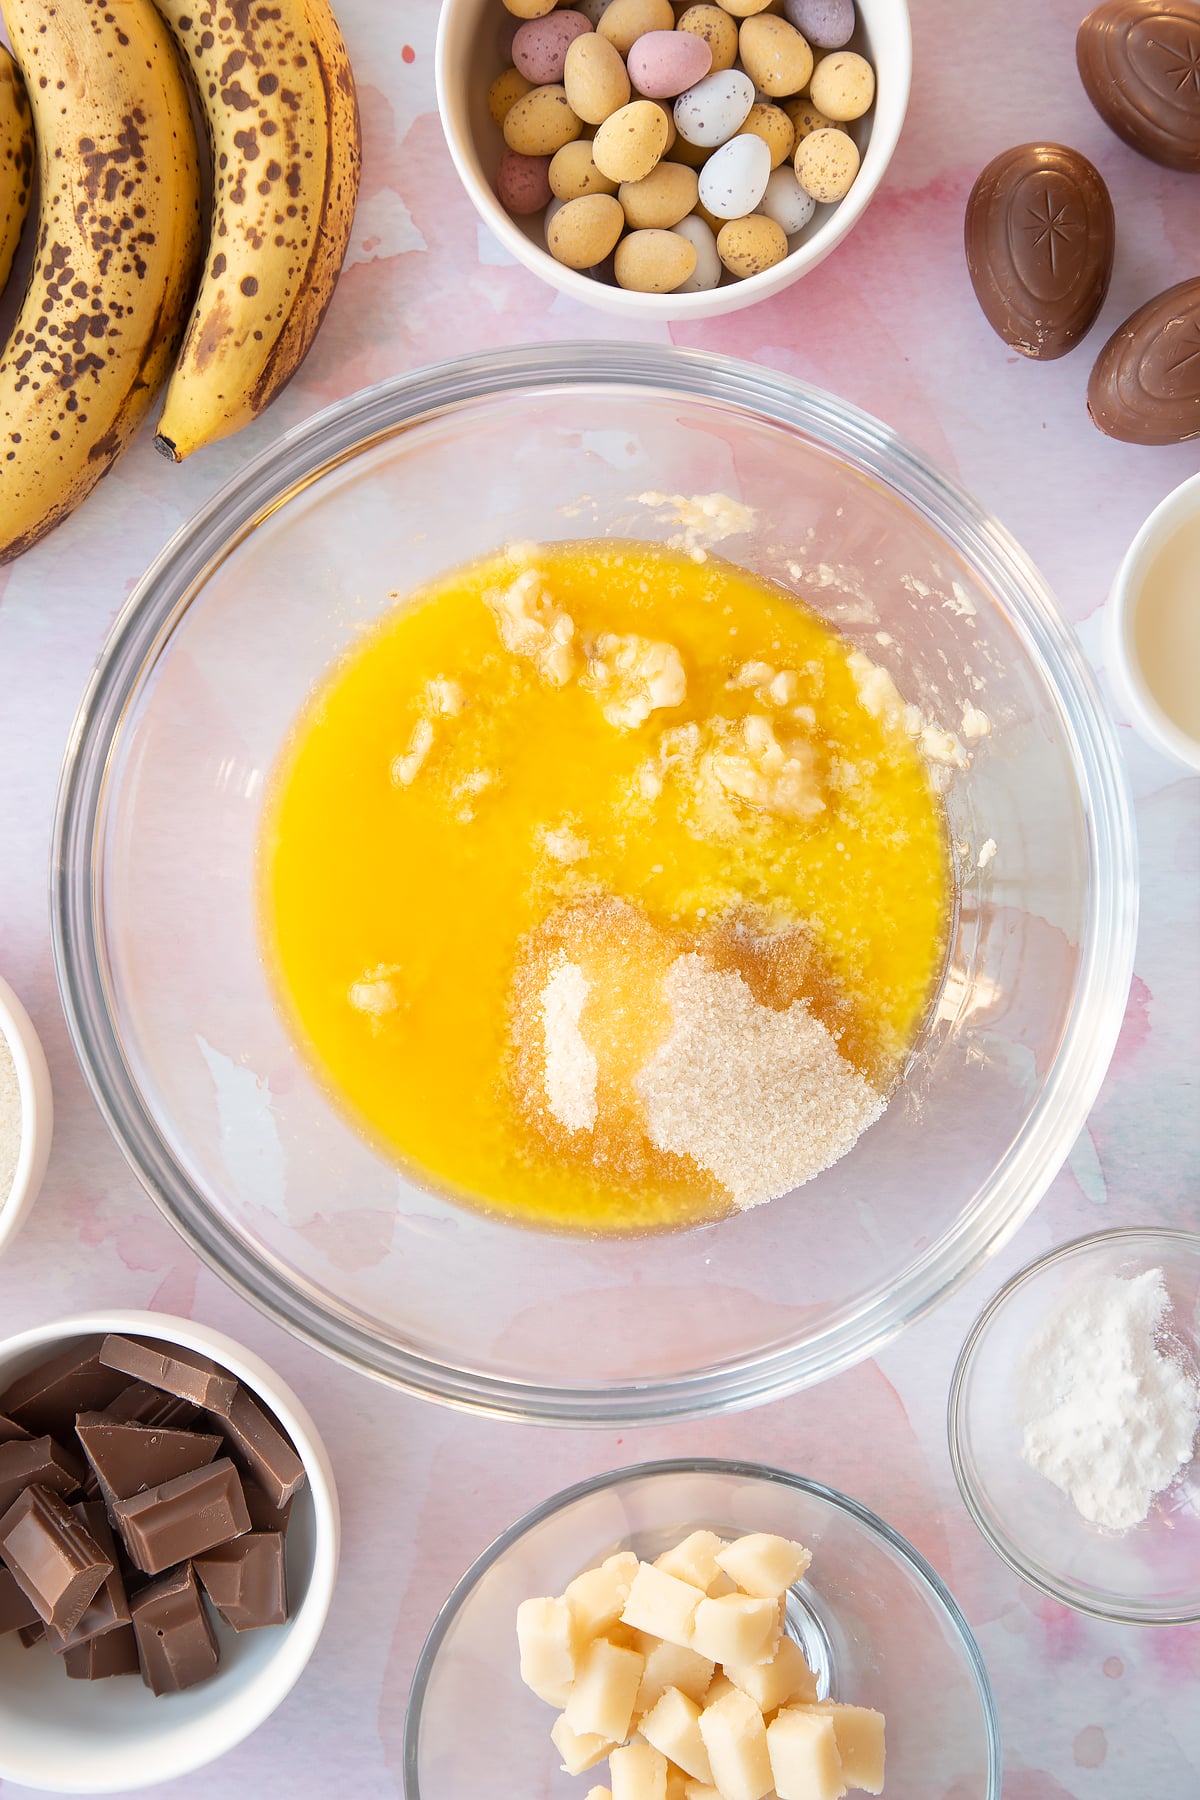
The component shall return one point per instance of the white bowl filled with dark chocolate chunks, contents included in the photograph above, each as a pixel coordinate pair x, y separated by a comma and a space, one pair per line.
168, 1549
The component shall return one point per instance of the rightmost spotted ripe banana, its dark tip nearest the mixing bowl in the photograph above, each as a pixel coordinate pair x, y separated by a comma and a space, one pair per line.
280, 102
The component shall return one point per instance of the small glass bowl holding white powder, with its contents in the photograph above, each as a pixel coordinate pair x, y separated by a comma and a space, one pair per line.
1075, 1425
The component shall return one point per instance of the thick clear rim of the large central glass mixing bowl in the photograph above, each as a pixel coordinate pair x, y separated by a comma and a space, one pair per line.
870, 447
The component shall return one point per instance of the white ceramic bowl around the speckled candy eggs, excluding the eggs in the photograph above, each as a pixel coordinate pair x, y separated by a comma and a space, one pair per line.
469, 58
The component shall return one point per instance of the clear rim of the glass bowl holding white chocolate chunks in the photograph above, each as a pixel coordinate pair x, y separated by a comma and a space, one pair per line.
647, 1471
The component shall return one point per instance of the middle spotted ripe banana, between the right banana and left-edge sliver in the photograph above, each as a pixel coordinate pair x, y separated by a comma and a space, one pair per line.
116, 256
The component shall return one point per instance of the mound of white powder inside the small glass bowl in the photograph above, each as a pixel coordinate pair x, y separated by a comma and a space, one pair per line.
1111, 1412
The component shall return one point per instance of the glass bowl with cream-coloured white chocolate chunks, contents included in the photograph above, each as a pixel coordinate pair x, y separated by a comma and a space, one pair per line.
704, 1632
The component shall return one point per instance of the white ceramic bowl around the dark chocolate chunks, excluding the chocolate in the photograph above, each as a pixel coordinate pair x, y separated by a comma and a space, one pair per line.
102, 1738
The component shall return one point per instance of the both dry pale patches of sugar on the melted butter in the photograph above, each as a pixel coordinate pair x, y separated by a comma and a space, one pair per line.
758, 1097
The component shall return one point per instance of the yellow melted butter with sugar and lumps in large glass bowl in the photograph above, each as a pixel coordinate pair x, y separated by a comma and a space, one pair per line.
607, 888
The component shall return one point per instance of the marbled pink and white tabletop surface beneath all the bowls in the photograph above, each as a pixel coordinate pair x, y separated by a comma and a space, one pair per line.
1089, 1711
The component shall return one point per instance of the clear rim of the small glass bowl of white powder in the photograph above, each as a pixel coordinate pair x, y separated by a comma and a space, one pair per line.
956, 1428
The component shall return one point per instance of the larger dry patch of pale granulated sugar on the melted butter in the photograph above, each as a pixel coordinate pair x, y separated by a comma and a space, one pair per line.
764, 1099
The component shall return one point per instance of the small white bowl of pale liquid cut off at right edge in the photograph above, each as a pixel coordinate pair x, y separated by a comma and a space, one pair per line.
1154, 627
